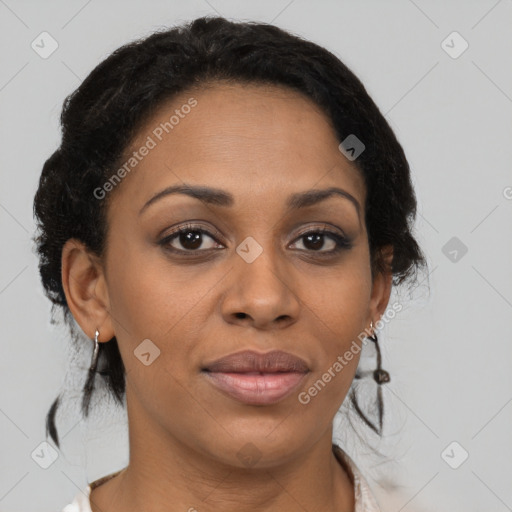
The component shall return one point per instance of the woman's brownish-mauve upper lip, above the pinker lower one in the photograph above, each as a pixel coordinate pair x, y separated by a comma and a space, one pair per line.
251, 361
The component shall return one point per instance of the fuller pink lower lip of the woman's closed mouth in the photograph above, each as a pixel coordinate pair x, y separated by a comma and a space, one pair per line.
256, 389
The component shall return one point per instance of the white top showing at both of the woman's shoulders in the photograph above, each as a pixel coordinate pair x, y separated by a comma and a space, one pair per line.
364, 499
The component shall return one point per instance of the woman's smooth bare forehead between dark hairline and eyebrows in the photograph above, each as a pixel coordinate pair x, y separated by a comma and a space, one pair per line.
256, 141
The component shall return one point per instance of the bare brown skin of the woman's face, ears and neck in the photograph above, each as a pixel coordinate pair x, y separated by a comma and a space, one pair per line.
261, 144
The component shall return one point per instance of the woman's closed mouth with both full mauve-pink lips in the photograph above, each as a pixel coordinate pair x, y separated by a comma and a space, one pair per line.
257, 379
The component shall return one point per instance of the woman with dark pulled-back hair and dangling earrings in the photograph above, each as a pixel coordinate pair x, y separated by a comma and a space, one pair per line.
225, 218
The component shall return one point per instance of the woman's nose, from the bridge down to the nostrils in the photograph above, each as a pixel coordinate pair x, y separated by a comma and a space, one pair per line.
260, 293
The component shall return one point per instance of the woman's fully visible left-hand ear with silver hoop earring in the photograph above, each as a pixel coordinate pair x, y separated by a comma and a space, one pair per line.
86, 291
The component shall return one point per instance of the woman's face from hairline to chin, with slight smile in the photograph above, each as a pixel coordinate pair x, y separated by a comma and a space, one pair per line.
250, 271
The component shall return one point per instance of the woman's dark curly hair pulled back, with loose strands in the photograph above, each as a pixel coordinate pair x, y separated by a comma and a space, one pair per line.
102, 116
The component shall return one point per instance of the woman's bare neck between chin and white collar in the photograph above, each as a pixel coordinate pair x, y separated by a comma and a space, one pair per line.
164, 471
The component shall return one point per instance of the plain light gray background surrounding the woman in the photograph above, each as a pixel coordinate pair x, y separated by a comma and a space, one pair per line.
449, 351
